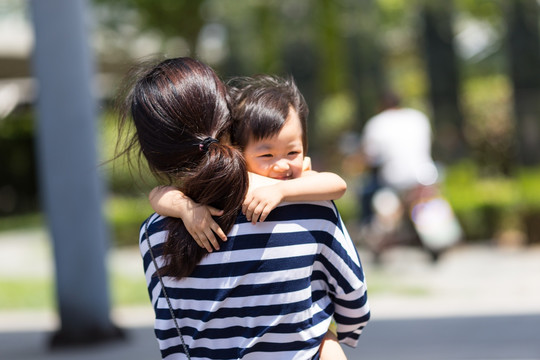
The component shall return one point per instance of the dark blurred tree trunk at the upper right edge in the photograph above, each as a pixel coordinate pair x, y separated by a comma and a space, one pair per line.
524, 55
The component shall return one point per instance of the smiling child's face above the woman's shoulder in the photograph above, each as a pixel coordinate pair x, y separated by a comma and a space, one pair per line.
280, 156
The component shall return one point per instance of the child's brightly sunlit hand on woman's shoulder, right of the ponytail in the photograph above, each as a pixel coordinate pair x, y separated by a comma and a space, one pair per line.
259, 202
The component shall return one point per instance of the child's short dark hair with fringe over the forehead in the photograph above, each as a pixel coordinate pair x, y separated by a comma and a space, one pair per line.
261, 106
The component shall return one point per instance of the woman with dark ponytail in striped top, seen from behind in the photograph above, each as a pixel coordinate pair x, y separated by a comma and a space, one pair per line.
272, 288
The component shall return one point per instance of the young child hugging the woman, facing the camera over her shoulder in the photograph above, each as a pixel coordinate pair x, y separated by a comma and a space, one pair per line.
270, 128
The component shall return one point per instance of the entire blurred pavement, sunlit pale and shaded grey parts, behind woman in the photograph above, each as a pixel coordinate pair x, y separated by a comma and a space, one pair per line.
479, 302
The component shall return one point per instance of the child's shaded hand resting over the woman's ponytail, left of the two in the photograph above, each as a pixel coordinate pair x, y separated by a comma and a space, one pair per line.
201, 226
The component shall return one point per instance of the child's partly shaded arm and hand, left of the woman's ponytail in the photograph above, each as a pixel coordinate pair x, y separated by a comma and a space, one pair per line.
169, 201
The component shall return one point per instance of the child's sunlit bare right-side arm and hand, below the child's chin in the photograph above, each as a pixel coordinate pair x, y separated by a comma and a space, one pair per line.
264, 196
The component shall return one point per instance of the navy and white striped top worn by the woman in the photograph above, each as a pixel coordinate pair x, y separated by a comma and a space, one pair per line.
269, 293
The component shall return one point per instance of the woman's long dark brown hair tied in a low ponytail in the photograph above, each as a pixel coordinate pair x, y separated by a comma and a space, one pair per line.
179, 107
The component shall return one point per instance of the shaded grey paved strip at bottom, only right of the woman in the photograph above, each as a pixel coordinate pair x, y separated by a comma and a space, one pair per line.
514, 337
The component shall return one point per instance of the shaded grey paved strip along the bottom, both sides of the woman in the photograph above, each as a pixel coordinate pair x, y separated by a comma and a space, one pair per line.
515, 337
